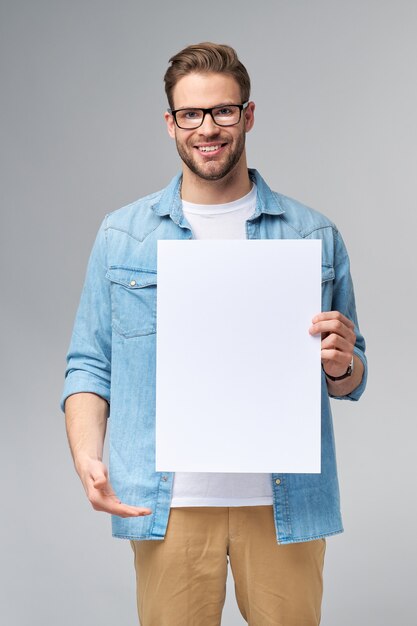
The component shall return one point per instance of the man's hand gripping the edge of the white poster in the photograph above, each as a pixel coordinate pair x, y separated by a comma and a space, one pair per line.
338, 341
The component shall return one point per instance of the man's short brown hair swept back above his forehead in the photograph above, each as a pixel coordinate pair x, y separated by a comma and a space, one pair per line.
204, 58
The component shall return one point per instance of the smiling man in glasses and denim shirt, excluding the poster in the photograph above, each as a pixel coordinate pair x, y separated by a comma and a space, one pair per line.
183, 528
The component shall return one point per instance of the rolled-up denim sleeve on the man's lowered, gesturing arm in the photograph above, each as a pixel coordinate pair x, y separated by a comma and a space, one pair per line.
89, 354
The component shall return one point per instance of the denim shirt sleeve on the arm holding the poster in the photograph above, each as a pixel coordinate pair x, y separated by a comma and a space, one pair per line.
344, 301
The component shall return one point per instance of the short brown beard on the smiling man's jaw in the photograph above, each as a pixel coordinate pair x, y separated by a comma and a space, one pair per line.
214, 169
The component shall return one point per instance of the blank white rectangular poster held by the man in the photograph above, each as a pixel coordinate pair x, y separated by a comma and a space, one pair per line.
238, 377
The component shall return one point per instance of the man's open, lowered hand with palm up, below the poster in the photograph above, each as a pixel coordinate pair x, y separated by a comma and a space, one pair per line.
101, 494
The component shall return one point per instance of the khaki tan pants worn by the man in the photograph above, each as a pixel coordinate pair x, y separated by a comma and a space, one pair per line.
181, 581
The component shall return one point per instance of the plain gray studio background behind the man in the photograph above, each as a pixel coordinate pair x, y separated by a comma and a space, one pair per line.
82, 134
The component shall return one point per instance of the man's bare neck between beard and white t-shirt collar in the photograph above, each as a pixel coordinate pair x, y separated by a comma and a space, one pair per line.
232, 187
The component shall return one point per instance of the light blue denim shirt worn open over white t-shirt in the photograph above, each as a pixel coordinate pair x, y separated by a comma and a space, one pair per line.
113, 346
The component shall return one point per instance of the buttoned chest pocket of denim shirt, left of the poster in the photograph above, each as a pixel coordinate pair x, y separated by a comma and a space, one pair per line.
133, 293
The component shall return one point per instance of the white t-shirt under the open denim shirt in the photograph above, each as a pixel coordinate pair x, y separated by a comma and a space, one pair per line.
221, 221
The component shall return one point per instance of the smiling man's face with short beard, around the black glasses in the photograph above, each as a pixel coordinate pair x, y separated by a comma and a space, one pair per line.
206, 91
